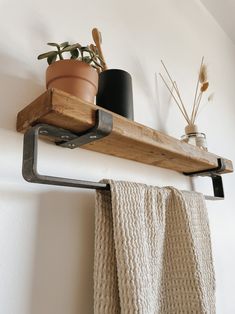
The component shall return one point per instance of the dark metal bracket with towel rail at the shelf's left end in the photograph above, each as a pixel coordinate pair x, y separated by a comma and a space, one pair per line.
65, 138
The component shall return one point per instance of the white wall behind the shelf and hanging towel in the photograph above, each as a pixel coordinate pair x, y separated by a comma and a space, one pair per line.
46, 233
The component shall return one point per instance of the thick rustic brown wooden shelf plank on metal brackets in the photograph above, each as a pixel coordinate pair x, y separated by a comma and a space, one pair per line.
129, 140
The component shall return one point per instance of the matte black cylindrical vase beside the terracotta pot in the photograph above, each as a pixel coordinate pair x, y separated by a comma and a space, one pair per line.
115, 92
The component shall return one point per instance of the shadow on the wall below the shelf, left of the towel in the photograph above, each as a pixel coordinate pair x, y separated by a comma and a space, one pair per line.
63, 267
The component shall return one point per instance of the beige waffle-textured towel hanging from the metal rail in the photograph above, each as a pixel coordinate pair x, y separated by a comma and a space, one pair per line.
152, 251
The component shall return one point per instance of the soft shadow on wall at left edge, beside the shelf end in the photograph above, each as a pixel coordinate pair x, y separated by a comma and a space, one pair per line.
18, 85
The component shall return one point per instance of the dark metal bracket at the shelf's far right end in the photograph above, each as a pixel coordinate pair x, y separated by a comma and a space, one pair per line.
215, 177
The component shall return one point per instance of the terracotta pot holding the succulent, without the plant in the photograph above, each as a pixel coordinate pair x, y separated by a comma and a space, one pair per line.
74, 77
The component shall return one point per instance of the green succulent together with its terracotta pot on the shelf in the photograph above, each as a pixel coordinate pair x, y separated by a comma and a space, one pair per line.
76, 71
